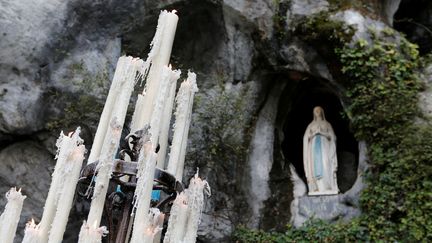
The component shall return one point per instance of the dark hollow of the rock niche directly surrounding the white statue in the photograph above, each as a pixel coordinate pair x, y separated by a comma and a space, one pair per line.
298, 103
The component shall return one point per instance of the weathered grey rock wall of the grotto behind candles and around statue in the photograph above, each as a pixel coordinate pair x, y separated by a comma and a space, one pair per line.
257, 79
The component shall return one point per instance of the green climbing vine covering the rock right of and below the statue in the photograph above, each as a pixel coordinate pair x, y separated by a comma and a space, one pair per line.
382, 82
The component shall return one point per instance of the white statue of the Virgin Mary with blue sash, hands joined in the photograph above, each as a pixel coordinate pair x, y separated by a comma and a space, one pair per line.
319, 156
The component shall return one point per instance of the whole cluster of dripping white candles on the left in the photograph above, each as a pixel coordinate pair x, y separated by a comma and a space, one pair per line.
153, 107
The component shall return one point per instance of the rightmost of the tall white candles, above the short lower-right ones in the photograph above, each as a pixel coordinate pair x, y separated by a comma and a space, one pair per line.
181, 127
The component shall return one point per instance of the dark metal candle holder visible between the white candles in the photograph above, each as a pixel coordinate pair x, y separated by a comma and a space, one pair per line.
119, 202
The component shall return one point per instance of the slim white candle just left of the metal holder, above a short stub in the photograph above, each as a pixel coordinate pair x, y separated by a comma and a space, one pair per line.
104, 170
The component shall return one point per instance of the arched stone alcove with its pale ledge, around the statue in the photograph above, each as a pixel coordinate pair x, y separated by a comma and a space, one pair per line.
301, 93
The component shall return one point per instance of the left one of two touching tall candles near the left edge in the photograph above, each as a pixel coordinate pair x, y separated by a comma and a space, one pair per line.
65, 145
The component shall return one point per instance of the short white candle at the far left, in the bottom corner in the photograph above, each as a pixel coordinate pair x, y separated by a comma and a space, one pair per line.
11, 215
